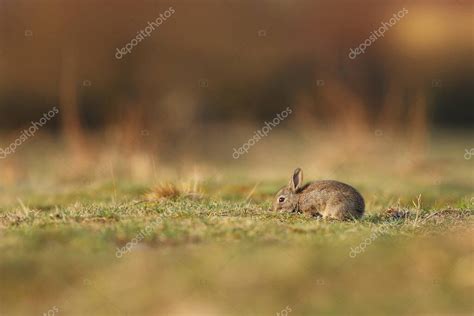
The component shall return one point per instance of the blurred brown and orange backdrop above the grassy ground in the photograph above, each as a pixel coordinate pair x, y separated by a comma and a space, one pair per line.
210, 76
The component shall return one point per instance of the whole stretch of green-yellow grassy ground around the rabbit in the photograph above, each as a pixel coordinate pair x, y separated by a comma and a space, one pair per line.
222, 252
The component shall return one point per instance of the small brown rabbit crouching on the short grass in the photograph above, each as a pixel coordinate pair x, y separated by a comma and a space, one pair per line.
327, 198
